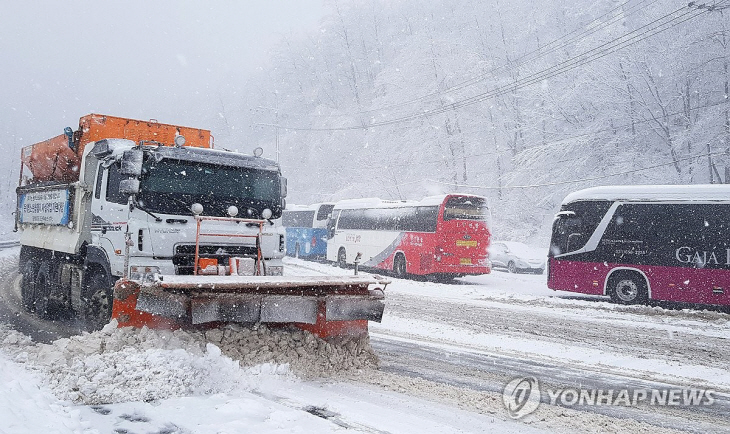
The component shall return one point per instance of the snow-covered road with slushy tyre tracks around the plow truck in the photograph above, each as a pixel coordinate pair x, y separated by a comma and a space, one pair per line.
446, 353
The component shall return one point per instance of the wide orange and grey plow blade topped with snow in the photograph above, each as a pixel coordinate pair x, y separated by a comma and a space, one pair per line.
328, 306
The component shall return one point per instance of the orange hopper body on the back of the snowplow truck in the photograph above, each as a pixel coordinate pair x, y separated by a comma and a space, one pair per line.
57, 160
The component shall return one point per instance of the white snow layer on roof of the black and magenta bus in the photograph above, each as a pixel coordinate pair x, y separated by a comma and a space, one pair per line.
711, 192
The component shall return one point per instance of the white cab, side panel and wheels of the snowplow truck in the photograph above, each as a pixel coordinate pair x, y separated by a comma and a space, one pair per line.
140, 209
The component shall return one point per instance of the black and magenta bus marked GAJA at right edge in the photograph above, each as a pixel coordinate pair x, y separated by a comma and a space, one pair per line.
641, 243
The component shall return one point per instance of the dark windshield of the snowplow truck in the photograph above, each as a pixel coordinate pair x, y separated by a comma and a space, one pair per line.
170, 186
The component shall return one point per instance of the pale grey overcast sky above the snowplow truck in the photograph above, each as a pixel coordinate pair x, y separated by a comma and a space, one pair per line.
168, 60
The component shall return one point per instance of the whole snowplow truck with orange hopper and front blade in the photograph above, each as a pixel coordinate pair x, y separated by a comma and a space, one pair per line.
149, 224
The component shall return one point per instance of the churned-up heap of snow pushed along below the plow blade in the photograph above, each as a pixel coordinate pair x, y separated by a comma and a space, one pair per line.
128, 364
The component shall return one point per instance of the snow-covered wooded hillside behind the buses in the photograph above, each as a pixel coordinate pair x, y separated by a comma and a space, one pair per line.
405, 99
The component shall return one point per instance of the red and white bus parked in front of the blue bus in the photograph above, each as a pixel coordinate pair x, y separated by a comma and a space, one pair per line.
442, 236
